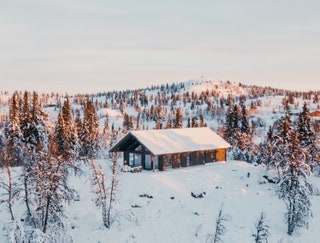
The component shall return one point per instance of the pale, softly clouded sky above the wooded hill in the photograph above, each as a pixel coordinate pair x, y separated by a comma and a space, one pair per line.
81, 46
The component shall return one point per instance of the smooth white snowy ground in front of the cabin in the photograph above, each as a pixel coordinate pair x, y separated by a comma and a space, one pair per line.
172, 215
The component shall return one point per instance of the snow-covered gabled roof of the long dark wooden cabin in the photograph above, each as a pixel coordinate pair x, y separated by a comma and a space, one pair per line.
170, 141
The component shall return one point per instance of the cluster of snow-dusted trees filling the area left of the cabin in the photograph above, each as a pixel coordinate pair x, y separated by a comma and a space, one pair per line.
47, 153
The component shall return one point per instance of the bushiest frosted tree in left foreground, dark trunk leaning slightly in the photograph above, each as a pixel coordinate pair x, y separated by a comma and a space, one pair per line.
51, 189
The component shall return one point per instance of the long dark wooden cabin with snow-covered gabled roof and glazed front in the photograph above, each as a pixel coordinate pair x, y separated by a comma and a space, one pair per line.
171, 148
